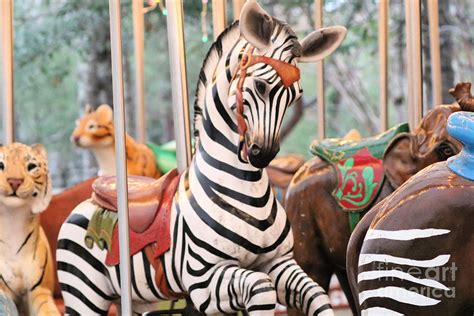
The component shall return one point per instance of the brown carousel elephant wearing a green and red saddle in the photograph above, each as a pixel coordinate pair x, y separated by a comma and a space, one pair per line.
332, 191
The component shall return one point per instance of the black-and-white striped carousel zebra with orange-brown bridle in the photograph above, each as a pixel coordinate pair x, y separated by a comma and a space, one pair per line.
231, 243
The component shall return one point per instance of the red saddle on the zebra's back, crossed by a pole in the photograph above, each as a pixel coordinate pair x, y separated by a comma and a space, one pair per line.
149, 203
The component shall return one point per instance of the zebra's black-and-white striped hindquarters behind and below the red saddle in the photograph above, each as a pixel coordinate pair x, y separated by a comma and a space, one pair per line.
87, 284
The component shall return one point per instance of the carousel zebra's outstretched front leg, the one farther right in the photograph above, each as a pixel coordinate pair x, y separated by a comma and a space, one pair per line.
295, 289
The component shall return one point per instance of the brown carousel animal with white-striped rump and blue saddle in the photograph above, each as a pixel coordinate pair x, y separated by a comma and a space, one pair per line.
412, 254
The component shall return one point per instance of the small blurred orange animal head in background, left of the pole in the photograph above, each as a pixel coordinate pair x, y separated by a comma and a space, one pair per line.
94, 128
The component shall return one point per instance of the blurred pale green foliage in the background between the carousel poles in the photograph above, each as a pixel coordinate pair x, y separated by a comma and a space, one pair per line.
53, 39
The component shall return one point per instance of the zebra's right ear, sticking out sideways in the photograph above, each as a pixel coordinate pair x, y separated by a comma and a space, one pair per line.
321, 43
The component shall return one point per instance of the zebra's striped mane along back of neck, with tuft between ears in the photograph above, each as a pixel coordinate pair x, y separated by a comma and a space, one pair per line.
230, 34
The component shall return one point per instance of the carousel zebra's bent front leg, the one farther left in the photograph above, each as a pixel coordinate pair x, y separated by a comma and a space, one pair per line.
230, 288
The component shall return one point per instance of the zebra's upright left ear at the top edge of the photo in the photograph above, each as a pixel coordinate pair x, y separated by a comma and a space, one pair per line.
256, 25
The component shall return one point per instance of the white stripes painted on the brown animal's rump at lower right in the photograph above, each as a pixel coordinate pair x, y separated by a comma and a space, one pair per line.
397, 280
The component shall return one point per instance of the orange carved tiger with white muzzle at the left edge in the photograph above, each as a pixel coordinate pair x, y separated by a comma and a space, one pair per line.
26, 272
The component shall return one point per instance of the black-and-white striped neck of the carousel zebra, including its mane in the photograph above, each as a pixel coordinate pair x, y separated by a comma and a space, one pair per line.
216, 163
